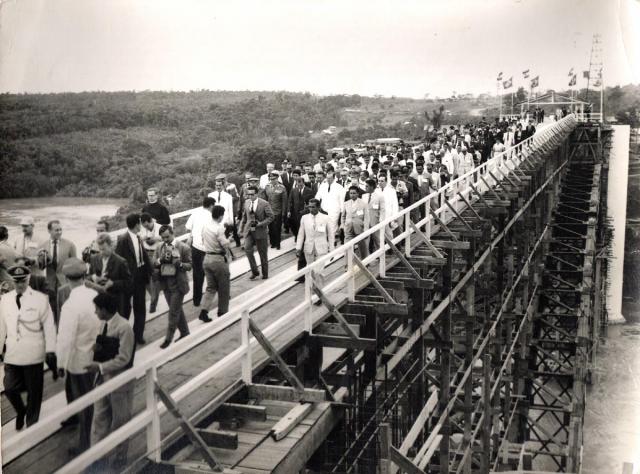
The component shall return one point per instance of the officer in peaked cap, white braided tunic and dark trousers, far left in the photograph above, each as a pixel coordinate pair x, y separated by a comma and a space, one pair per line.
28, 331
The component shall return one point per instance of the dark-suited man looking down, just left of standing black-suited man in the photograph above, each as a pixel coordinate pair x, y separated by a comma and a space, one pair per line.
109, 273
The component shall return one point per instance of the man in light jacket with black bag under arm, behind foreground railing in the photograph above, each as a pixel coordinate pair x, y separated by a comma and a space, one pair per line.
112, 356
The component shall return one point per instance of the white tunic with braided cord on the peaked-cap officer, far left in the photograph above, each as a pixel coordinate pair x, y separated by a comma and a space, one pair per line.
29, 332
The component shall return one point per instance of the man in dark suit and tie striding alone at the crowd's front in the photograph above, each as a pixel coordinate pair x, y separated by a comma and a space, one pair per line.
255, 220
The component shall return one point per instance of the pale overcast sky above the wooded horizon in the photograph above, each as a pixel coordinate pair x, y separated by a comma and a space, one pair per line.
398, 47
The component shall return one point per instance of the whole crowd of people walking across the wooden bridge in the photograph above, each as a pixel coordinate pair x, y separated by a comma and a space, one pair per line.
70, 311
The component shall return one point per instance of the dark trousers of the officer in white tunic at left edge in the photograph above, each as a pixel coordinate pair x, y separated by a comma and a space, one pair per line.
20, 378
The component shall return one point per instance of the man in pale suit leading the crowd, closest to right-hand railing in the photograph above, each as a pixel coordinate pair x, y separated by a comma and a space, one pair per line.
316, 234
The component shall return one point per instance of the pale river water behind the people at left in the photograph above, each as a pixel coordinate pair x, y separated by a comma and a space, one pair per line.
78, 216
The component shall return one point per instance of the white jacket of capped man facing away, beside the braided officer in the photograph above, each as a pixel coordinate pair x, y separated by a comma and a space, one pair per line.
77, 331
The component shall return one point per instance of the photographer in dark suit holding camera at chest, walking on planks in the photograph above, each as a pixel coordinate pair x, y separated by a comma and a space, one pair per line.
171, 262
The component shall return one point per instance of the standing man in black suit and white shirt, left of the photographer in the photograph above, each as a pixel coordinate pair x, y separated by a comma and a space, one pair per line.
129, 247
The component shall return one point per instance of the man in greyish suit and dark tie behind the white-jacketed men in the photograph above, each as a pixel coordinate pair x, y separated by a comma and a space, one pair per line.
52, 255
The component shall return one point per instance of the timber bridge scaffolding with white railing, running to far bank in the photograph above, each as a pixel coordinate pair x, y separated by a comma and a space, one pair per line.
463, 345
